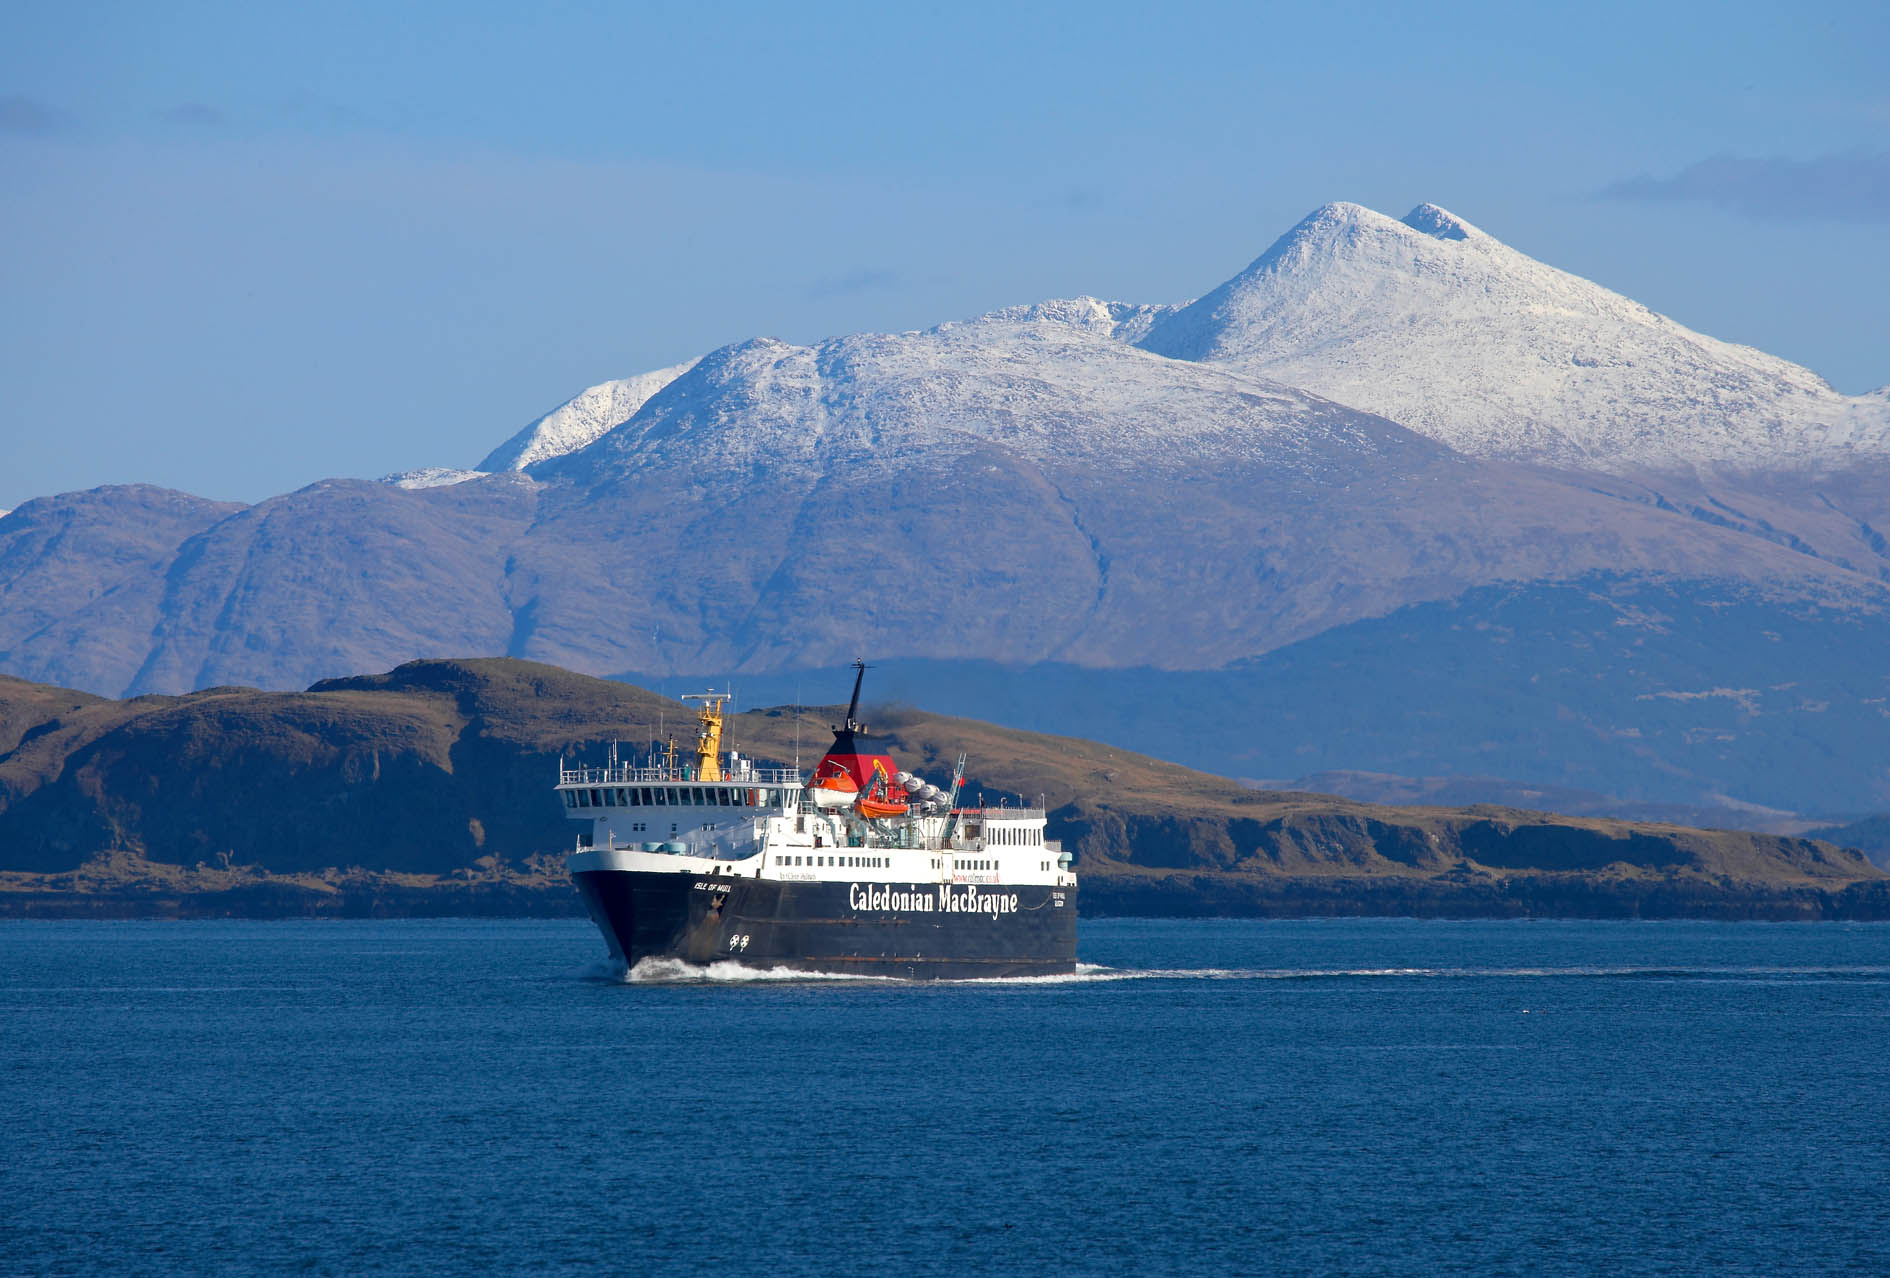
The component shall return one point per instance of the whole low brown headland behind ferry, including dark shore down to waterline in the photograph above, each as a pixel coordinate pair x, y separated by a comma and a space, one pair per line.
428, 791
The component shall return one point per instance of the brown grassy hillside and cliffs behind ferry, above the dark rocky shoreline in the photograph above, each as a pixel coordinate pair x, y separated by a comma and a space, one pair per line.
438, 765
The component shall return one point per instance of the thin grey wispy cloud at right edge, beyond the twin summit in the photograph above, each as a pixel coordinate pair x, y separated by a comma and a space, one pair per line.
1853, 186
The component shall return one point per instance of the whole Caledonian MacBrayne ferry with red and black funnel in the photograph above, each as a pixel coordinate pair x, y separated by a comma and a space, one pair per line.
857, 869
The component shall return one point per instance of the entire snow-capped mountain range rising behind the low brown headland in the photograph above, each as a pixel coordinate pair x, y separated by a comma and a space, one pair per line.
1175, 491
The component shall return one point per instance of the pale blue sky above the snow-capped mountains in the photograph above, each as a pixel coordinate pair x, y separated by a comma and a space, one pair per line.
245, 249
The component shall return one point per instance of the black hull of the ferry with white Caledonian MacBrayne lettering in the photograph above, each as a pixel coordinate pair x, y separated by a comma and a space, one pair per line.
872, 929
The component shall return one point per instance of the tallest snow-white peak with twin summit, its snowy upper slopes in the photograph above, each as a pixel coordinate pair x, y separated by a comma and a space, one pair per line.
1460, 337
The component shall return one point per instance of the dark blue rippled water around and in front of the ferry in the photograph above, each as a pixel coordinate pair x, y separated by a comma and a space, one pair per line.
1311, 1097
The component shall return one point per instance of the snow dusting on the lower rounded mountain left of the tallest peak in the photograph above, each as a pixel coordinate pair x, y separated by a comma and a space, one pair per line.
1031, 387
